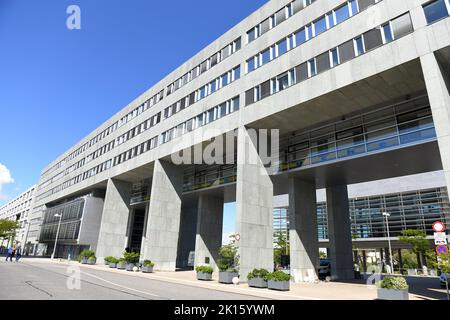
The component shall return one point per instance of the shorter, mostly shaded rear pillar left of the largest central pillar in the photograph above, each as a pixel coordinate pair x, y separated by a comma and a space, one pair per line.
209, 230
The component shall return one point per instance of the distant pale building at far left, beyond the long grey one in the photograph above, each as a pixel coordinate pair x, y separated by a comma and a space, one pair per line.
18, 209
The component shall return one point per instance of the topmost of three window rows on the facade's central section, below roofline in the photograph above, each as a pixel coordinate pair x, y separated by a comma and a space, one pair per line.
205, 65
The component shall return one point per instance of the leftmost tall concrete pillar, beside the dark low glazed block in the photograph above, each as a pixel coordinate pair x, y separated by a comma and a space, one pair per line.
114, 227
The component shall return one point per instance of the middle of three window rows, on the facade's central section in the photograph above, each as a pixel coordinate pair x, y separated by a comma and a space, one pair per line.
203, 92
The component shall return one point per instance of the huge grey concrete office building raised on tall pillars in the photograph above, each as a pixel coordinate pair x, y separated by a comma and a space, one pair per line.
357, 89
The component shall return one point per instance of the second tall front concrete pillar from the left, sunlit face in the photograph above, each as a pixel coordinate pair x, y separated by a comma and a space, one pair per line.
164, 216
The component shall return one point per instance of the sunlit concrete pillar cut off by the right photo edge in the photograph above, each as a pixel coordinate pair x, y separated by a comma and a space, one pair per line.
438, 94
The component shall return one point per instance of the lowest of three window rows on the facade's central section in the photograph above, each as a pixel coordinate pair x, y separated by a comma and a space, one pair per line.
202, 119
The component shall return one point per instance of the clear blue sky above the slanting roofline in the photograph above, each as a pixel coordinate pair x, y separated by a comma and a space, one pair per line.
57, 85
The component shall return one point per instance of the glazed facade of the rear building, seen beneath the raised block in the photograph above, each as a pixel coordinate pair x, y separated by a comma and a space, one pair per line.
408, 210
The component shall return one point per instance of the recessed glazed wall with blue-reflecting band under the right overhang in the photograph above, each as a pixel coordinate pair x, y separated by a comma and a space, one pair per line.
394, 126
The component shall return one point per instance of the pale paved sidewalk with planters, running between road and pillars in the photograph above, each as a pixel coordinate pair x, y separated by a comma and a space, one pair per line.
314, 291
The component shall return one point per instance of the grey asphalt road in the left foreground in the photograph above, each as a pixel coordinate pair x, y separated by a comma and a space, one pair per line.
29, 280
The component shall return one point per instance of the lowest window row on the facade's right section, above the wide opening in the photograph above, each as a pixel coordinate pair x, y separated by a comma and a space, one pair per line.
355, 47
